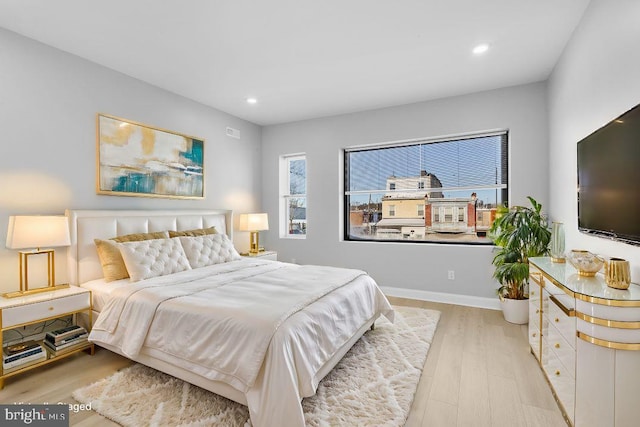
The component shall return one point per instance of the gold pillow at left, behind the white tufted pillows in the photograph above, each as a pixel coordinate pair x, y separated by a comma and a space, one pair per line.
113, 267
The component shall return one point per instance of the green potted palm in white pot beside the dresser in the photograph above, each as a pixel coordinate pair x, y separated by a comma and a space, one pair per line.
518, 234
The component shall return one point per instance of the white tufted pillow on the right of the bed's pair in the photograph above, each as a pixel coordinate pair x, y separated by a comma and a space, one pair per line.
208, 250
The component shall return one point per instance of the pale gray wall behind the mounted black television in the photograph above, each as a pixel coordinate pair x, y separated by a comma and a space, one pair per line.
597, 79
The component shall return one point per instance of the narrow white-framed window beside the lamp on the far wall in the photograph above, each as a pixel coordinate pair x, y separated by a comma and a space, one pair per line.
293, 189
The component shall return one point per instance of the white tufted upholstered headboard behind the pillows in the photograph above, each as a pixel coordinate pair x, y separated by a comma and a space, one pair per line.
86, 225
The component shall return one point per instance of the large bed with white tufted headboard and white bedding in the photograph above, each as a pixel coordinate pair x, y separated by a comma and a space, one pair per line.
261, 333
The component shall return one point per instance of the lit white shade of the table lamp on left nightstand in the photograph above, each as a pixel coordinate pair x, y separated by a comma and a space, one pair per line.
28, 232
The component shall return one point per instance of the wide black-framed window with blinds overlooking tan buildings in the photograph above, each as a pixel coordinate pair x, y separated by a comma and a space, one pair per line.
426, 190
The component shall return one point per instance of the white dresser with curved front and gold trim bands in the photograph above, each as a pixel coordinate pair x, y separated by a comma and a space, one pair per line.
586, 337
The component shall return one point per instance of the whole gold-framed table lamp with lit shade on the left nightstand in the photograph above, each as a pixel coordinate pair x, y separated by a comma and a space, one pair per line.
27, 232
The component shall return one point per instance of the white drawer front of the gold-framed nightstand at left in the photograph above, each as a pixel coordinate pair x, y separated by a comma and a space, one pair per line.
28, 313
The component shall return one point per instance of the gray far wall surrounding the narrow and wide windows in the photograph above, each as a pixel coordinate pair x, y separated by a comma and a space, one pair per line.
415, 267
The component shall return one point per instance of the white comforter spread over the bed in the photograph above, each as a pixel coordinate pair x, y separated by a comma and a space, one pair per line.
265, 328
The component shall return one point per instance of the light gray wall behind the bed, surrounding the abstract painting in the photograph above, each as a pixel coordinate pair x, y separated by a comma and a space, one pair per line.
48, 105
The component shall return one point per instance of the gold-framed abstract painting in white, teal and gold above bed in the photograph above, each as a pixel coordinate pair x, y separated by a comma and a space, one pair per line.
140, 160
